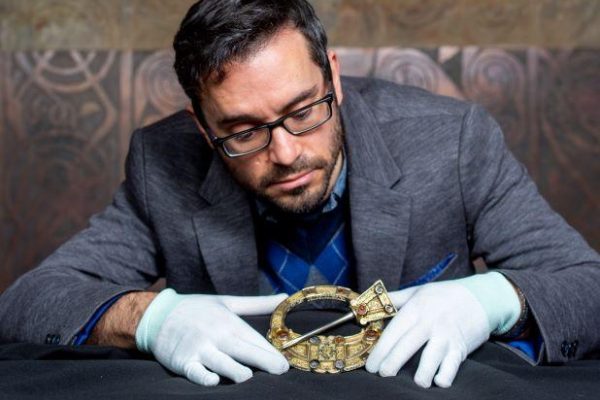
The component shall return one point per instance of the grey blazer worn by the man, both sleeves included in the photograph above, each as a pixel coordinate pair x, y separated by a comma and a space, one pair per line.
427, 176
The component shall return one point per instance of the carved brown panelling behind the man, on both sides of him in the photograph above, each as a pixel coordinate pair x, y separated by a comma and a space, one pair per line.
66, 118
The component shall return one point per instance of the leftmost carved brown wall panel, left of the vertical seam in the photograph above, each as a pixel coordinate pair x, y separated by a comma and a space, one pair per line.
59, 153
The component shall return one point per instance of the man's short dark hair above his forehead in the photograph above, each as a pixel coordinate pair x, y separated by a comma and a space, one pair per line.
215, 33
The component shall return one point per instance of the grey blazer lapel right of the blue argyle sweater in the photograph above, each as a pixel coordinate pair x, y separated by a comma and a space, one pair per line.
380, 212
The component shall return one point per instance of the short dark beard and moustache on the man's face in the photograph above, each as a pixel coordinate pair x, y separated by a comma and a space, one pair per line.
301, 200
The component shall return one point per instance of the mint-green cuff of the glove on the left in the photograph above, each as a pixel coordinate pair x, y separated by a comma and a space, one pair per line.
153, 318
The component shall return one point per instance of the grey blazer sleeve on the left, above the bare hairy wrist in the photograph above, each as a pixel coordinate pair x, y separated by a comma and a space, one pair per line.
115, 254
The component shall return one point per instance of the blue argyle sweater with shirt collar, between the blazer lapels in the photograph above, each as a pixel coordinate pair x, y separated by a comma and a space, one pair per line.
296, 251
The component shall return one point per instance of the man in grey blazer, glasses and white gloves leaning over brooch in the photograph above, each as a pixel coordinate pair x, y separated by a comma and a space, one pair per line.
286, 175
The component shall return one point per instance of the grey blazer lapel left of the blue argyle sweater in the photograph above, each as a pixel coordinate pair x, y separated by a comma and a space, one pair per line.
225, 233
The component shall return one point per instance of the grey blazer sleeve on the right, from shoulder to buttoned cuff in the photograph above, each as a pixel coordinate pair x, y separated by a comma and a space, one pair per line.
515, 231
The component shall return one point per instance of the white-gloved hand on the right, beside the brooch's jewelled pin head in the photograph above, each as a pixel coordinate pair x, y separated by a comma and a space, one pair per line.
452, 318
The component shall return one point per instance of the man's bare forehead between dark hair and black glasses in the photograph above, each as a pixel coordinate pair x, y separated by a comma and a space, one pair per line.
275, 73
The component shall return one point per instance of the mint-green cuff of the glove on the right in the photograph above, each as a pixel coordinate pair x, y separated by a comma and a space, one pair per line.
498, 298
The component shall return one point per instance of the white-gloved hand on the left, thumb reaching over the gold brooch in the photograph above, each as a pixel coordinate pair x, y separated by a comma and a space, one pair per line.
192, 334
